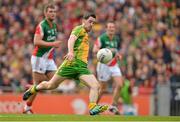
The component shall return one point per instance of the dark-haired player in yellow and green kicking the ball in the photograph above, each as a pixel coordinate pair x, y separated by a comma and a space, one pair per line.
75, 66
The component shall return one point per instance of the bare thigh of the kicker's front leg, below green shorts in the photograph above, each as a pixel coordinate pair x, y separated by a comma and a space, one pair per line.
90, 80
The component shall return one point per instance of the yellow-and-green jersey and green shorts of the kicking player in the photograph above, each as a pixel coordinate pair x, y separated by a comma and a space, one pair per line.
78, 66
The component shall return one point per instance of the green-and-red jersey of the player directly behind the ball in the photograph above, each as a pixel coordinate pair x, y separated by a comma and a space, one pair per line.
103, 41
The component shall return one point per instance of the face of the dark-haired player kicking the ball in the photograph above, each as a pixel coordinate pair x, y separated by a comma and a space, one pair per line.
89, 23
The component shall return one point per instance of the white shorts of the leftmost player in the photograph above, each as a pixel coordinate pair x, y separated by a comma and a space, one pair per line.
41, 65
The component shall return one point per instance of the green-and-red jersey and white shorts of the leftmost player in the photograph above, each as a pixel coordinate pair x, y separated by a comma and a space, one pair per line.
42, 57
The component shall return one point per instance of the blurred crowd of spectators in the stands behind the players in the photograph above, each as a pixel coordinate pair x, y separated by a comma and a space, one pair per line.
148, 29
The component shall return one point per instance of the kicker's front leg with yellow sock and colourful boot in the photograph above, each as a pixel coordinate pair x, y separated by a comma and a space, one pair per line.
94, 86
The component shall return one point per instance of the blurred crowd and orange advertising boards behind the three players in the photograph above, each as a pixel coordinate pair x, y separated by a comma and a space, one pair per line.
149, 31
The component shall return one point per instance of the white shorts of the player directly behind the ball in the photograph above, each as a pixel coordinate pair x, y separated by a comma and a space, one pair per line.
105, 72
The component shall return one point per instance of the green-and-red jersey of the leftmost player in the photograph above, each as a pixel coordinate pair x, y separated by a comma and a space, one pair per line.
49, 35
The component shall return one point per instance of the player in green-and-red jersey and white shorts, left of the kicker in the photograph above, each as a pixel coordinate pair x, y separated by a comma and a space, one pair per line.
43, 65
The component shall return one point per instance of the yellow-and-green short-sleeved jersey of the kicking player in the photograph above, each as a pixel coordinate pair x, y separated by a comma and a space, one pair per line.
81, 46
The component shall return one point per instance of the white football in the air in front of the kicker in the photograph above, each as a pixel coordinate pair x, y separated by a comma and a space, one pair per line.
104, 55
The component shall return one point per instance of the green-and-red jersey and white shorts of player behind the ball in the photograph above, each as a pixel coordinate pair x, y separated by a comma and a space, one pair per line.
104, 72
